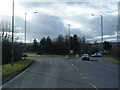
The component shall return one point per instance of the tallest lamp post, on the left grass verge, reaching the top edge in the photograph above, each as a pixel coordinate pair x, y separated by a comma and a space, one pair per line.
12, 32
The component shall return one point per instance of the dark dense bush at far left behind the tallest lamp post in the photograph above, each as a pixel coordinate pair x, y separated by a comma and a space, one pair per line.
7, 51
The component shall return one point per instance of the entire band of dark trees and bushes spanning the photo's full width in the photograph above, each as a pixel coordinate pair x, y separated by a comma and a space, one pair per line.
59, 45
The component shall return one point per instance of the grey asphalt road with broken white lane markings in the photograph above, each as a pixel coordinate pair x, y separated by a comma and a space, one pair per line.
59, 72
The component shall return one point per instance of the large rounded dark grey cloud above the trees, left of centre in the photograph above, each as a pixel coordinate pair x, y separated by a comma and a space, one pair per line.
45, 25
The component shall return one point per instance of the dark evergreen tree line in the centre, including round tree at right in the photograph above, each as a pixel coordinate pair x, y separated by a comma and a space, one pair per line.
60, 45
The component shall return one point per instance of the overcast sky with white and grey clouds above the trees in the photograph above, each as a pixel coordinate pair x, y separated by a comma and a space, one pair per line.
53, 17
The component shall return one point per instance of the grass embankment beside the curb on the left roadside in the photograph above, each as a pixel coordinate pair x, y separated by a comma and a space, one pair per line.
8, 70
